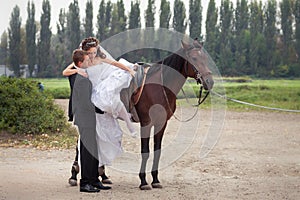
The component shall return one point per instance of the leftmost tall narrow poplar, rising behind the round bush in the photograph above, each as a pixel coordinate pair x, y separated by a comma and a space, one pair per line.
14, 33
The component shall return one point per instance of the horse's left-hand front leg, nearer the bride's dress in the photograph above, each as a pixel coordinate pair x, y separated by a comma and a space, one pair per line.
145, 137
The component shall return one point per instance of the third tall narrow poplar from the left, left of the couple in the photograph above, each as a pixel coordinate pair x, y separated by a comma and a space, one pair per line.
44, 40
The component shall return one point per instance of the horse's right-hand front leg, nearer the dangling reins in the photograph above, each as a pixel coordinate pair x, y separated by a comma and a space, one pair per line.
158, 135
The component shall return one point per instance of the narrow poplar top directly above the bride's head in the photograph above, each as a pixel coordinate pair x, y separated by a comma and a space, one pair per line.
88, 25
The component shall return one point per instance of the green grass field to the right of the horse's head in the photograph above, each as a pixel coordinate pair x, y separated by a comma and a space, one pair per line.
283, 94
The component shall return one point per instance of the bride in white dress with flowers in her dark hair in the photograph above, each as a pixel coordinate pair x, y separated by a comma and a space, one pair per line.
108, 78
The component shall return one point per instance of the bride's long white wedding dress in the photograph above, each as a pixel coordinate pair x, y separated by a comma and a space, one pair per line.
108, 81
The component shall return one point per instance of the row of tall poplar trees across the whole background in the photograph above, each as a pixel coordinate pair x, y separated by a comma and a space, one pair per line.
249, 38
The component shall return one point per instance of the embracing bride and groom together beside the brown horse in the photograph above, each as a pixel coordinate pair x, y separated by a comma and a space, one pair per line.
96, 105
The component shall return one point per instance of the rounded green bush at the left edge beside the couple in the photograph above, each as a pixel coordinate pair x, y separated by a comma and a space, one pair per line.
25, 109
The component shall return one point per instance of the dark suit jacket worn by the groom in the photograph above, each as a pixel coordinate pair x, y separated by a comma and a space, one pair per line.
83, 108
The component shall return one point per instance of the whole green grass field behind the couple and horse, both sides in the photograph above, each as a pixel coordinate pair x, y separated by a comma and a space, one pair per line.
283, 94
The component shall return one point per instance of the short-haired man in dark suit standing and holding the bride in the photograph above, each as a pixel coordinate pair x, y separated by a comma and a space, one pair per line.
85, 119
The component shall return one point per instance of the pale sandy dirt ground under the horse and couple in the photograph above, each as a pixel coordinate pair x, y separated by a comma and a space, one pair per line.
256, 157
